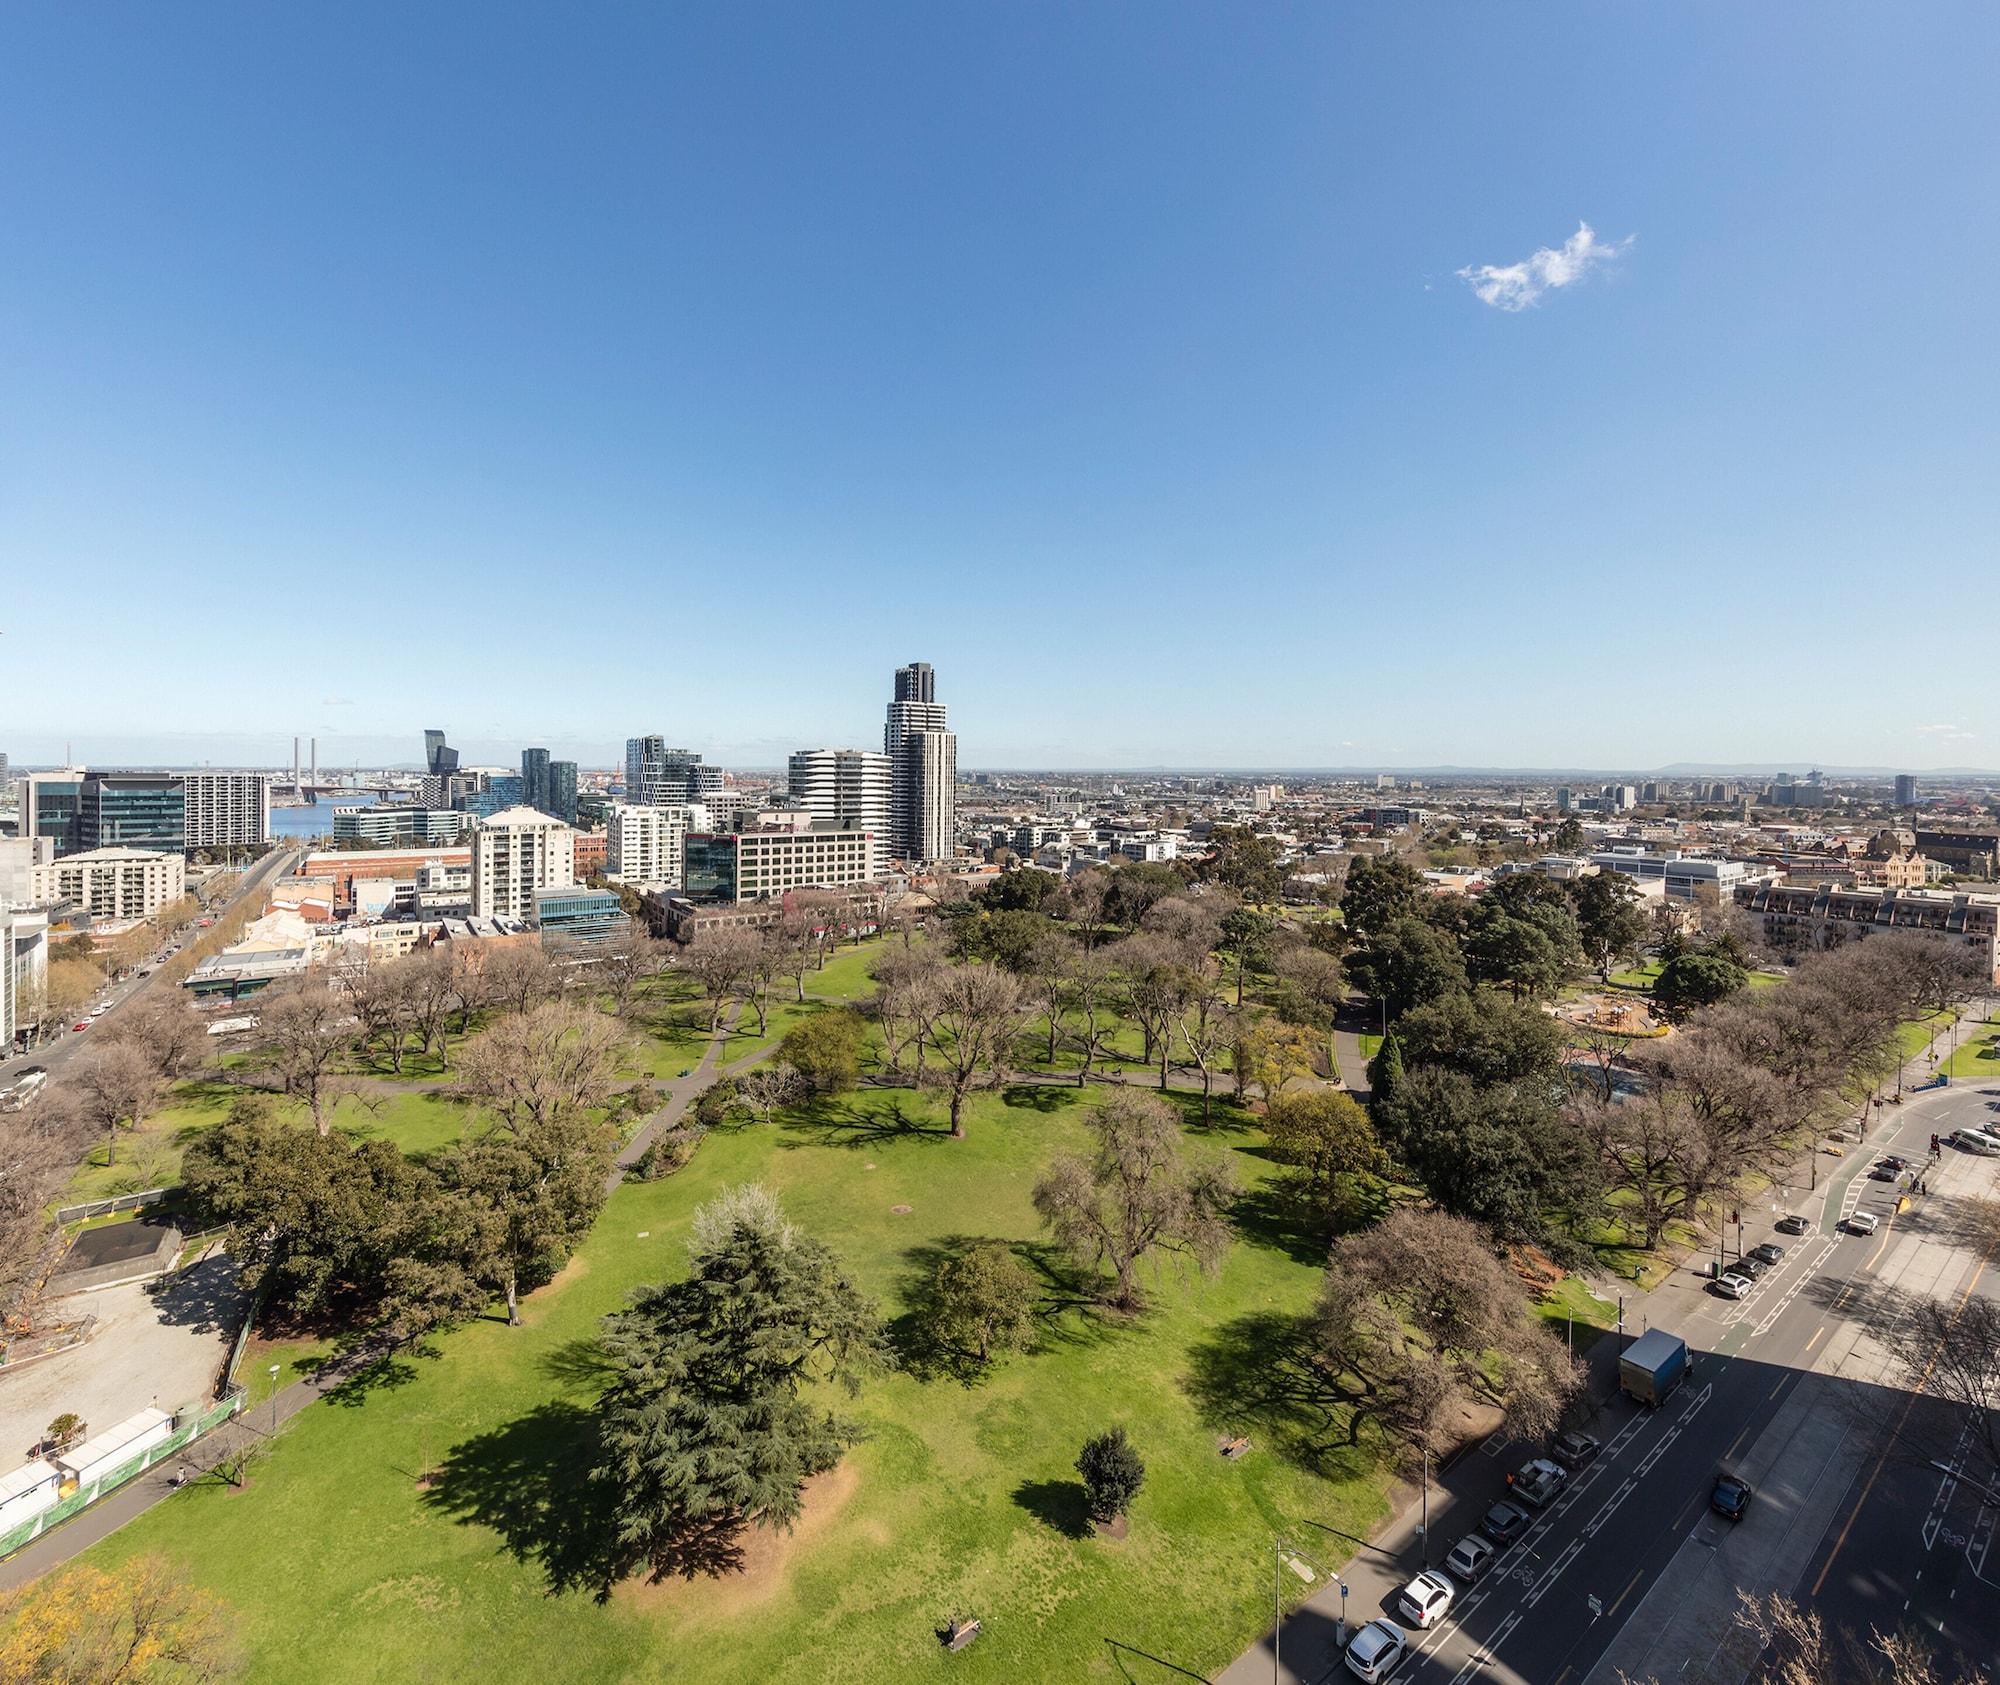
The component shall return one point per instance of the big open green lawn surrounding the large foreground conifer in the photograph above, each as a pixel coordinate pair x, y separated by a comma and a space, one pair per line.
961, 1498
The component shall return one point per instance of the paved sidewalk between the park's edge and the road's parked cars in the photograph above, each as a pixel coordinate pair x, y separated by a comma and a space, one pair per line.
1467, 1484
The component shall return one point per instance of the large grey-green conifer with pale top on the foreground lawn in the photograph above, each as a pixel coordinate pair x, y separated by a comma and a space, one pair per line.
705, 1430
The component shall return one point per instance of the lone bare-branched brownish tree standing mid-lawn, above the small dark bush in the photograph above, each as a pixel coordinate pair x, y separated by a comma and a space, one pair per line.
1137, 1194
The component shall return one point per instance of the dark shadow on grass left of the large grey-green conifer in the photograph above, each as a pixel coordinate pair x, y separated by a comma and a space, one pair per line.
531, 1484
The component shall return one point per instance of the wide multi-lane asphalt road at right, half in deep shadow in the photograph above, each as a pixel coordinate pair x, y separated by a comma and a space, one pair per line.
1629, 1568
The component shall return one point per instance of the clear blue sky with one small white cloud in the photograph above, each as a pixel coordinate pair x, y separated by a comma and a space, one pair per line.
565, 373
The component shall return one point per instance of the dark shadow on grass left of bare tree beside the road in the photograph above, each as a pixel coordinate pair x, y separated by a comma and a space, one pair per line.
1261, 1376
